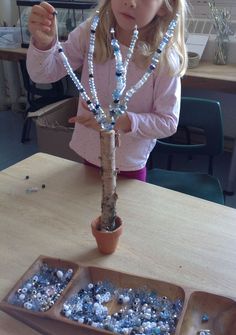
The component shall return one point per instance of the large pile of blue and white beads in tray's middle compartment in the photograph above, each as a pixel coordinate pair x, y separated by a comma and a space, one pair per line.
137, 311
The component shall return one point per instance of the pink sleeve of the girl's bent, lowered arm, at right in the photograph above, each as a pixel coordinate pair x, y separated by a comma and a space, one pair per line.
162, 120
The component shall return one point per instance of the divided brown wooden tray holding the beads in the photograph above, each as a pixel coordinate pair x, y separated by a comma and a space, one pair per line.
220, 310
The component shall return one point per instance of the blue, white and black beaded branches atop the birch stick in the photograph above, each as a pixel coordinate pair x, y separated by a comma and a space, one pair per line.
118, 107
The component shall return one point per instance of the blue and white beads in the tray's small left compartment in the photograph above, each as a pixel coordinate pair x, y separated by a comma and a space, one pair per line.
40, 292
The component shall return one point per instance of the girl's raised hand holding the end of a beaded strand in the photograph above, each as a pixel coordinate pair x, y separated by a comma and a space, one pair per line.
42, 25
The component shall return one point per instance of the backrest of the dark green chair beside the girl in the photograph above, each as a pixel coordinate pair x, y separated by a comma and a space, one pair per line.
203, 115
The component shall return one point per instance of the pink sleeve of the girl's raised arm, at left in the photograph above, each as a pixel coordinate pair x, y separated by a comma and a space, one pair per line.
46, 66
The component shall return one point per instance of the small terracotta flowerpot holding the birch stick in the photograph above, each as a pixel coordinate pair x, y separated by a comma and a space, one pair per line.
106, 240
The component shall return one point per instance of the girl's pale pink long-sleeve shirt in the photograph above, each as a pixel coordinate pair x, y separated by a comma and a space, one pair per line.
153, 110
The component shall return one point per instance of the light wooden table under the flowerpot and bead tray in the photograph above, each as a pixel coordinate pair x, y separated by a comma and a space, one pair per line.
168, 235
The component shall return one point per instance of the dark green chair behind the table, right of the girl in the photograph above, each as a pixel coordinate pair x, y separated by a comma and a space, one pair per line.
201, 117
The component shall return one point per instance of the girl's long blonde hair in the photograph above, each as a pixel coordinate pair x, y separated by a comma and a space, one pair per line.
149, 38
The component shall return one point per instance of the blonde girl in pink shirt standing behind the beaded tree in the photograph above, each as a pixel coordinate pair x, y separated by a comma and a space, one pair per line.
153, 112
